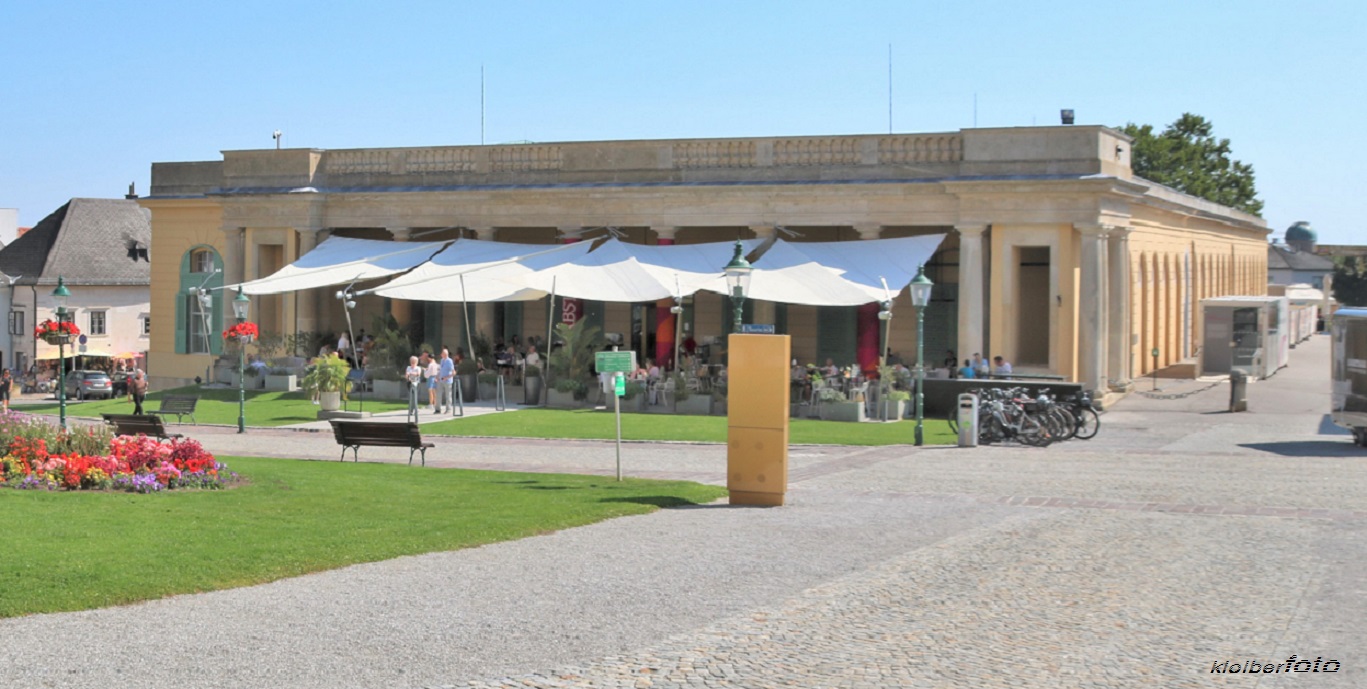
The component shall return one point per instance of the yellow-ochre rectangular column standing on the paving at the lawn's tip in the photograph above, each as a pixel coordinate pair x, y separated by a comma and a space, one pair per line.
757, 418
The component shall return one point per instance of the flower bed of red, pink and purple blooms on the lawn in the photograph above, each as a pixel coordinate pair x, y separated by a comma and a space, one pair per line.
40, 456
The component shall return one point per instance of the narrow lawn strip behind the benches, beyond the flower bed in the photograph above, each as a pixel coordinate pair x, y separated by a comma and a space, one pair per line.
218, 407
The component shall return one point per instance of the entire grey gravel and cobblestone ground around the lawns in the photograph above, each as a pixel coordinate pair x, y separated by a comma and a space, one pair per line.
1178, 539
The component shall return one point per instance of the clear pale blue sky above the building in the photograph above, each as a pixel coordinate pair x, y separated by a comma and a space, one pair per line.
94, 94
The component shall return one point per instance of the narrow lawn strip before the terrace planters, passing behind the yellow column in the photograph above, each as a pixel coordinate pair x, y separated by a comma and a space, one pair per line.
601, 426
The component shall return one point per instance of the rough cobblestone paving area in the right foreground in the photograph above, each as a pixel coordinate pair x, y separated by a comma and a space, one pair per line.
1078, 601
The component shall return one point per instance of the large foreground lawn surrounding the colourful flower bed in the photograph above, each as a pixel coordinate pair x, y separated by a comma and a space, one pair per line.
85, 550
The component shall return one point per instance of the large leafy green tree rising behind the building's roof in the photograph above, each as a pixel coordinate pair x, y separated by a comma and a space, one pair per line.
1189, 158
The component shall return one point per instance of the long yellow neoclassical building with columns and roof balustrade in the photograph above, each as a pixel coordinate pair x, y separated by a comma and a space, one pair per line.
1056, 256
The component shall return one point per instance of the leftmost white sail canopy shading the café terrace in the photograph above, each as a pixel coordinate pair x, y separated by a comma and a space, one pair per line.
341, 260
